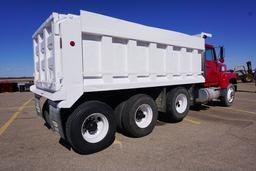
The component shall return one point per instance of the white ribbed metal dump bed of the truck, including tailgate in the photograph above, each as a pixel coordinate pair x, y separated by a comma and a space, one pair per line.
110, 54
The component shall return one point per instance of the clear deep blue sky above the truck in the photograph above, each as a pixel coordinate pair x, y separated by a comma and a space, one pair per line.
232, 23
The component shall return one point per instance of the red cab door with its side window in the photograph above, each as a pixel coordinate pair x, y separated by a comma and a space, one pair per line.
211, 66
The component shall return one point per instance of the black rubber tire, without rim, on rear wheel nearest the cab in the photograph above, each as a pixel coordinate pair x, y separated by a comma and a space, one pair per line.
171, 111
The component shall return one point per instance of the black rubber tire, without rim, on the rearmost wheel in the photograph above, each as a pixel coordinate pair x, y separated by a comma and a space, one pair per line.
75, 121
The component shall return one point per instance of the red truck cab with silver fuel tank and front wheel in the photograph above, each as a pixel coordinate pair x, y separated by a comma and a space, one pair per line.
219, 83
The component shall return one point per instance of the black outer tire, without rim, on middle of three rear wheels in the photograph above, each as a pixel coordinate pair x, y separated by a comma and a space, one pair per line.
129, 125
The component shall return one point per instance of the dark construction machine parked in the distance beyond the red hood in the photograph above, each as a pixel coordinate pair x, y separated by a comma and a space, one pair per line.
245, 75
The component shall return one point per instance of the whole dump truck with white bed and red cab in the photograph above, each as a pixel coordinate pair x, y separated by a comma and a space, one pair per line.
100, 73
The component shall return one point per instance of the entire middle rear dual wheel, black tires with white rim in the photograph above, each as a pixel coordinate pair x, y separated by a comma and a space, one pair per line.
137, 116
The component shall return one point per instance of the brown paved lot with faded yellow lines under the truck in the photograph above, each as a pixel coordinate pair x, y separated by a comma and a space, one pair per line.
212, 138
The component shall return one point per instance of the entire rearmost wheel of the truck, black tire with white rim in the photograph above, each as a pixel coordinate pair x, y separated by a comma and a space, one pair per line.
91, 127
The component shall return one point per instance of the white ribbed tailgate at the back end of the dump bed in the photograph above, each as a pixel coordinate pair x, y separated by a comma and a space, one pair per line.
47, 54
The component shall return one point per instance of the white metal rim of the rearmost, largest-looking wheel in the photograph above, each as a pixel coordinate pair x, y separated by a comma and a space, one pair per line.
102, 127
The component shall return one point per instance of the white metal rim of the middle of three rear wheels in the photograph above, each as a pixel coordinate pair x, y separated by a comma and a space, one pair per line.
145, 121
